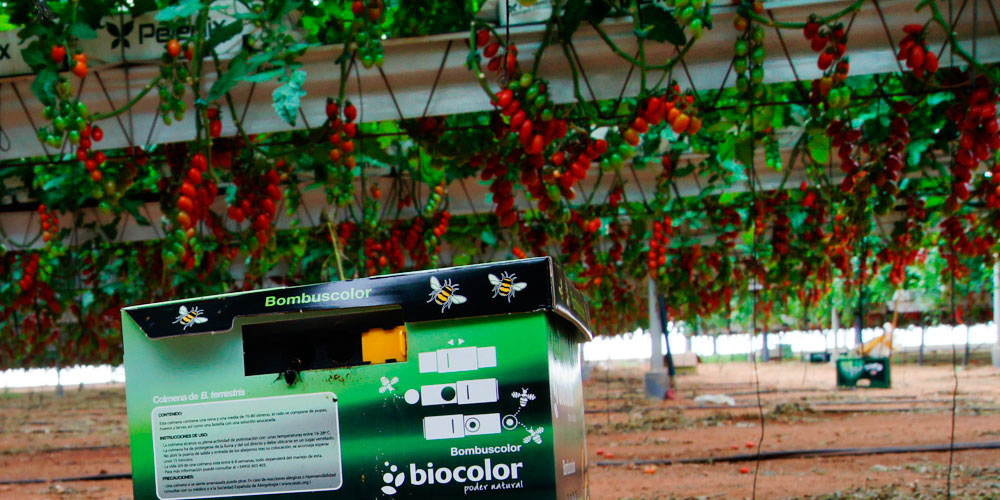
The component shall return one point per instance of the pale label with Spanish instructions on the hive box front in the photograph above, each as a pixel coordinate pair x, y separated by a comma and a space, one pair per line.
247, 447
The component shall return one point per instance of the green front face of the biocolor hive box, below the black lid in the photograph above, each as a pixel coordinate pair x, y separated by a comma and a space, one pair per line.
458, 417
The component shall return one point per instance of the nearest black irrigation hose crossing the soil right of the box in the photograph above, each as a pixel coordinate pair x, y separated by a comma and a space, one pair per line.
807, 453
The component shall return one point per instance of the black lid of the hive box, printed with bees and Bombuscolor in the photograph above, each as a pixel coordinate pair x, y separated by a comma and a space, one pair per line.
507, 287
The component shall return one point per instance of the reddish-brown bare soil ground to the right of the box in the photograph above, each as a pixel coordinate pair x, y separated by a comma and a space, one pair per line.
802, 409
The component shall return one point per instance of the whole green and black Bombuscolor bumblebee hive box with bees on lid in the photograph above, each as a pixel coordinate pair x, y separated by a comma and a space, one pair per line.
453, 383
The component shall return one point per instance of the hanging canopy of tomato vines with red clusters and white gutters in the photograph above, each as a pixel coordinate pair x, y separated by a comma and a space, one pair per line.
795, 159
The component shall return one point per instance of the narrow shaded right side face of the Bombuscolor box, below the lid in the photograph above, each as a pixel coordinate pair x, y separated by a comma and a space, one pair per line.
566, 387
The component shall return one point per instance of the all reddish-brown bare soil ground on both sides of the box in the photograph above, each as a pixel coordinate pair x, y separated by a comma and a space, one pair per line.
85, 433
